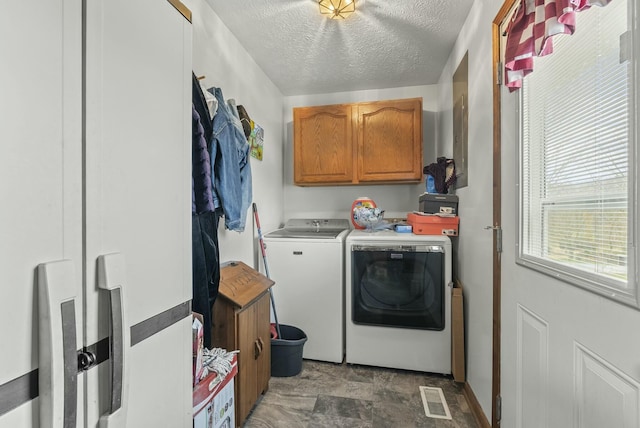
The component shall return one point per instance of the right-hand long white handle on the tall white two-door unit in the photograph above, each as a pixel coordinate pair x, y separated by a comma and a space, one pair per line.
112, 278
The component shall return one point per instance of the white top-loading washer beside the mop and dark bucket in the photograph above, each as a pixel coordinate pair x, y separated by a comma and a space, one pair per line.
306, 261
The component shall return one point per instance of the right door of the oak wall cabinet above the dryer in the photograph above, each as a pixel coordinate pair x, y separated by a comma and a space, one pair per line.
390, 141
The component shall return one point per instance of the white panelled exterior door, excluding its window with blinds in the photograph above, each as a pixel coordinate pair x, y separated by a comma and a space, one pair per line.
570, 357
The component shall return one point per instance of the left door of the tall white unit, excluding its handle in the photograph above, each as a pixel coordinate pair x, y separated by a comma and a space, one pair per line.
40, 185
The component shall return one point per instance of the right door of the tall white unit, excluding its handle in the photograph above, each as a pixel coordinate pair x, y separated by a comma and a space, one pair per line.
137, 206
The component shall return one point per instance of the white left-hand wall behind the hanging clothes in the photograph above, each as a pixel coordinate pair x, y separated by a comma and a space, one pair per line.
218, 55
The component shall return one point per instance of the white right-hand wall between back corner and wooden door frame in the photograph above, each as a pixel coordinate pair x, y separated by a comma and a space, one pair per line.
474, 262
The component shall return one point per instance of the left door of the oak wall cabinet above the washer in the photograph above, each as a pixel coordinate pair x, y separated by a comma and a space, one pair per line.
323, 144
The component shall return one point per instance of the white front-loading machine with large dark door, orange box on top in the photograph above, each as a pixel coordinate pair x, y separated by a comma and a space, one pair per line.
398, 300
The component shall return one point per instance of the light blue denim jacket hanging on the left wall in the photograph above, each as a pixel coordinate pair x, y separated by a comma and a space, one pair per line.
231, 169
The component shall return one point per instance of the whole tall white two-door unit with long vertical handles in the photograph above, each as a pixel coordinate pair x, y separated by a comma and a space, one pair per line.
95, 225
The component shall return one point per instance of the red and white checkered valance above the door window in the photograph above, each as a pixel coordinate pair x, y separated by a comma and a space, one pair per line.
530, 30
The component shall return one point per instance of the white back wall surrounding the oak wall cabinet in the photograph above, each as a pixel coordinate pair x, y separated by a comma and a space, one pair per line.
335, 201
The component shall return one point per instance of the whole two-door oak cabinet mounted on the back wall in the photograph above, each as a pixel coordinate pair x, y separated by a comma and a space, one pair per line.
373, 142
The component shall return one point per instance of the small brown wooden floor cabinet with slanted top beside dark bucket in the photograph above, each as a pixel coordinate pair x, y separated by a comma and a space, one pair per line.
241, 322
